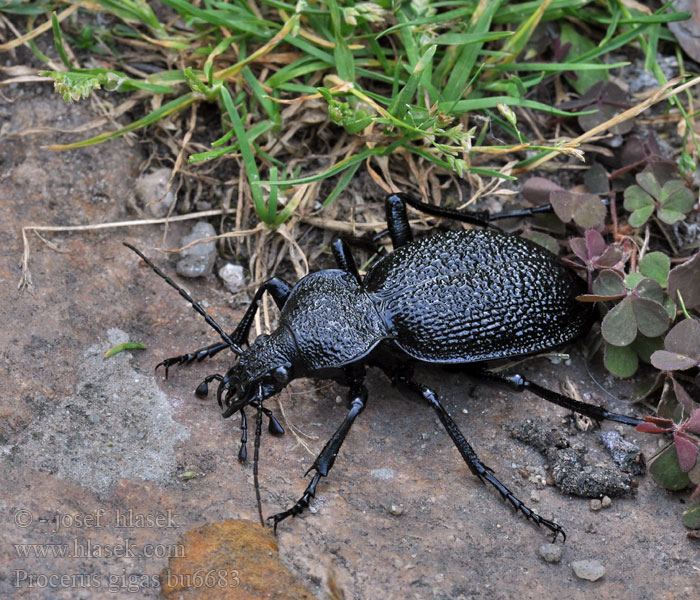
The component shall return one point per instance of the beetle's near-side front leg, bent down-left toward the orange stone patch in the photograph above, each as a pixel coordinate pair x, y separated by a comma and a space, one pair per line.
324, 461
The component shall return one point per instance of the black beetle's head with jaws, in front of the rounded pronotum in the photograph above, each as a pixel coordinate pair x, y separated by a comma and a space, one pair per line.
263, 370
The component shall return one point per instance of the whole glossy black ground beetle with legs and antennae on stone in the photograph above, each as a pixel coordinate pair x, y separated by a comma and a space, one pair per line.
452, 298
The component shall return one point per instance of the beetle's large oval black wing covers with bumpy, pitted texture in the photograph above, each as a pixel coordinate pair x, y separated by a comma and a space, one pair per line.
476, 295
